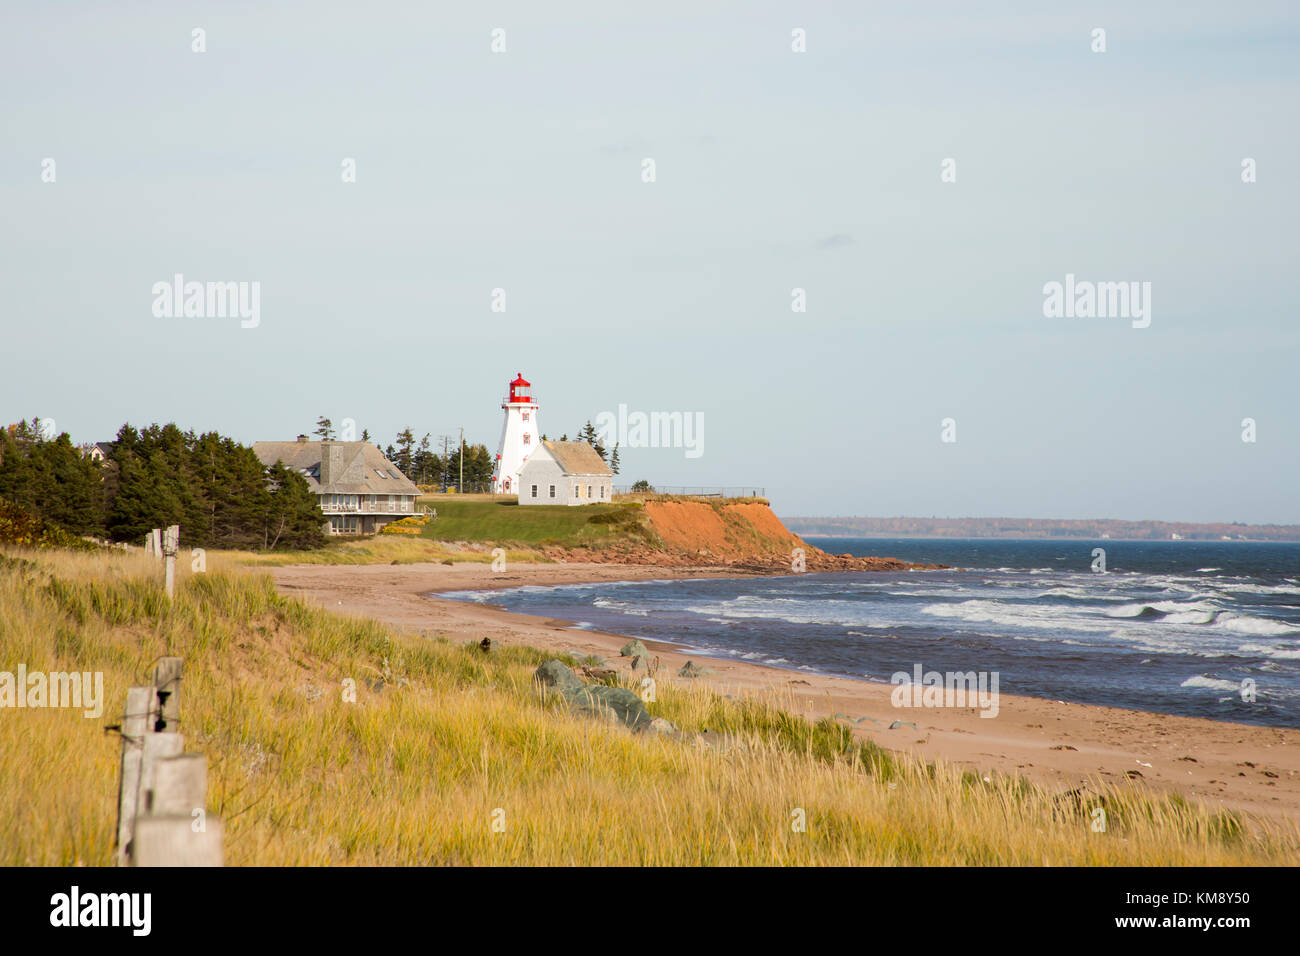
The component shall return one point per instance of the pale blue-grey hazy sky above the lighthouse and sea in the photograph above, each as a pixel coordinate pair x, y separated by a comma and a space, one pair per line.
774, 171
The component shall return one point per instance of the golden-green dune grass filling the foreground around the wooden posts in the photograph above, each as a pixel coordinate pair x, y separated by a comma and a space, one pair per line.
450, 755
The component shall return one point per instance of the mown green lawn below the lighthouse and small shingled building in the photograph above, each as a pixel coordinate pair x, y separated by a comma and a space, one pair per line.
506, 521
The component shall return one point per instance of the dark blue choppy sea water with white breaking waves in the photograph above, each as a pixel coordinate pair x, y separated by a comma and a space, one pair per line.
1172, 626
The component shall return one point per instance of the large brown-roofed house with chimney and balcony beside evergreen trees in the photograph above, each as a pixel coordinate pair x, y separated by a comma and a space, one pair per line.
359, 490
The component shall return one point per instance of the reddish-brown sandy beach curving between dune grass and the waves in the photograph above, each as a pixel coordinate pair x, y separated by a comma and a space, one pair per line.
1063, 746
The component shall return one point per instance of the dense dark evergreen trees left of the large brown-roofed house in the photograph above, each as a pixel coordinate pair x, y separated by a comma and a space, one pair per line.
215, 488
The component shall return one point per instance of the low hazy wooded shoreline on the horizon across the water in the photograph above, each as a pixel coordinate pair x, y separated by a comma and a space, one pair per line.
1041, 527
